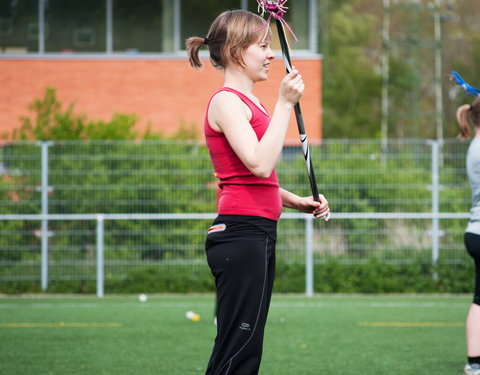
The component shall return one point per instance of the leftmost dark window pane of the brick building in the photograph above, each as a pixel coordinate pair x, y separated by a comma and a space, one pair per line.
18, 26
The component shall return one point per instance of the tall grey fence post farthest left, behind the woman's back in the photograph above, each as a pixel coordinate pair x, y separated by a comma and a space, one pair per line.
44, 188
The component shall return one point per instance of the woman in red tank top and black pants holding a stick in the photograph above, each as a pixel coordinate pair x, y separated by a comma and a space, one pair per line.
245, 144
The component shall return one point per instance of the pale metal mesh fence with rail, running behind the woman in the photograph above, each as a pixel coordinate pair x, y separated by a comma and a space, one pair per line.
101, 210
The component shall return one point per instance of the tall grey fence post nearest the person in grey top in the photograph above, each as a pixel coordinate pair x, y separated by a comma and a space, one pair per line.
435, 203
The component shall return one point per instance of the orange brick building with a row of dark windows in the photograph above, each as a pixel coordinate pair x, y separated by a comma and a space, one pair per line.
128, 56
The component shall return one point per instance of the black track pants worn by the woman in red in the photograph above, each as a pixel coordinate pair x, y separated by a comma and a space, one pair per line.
241, 255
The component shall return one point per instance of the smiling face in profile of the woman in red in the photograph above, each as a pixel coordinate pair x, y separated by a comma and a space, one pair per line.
257, 58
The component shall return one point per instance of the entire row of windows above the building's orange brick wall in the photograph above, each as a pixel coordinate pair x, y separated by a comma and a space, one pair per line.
117, 27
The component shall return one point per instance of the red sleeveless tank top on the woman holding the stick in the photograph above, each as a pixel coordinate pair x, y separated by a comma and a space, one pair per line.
242, 193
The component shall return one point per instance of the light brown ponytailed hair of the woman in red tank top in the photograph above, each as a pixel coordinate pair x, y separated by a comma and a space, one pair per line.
230, 33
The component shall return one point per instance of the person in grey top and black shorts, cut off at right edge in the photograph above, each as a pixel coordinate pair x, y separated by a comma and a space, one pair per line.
468, 117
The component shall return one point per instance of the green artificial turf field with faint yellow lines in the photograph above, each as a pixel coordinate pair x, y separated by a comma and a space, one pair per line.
337, 335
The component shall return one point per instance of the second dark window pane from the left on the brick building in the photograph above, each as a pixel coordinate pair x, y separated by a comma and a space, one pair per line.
75, 26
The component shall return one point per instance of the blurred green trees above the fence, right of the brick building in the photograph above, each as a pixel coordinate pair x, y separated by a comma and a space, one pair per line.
351, 43
